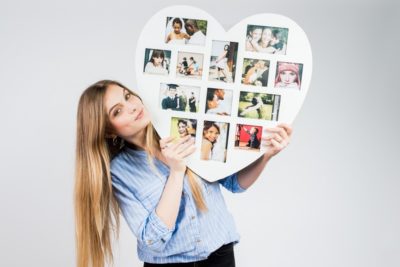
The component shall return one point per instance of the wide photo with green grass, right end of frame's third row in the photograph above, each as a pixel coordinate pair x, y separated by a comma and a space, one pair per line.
259, 106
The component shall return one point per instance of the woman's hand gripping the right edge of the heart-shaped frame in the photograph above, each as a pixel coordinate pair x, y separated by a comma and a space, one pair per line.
277, 138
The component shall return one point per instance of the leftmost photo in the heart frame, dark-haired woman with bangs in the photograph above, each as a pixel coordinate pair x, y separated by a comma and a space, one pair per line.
157, 61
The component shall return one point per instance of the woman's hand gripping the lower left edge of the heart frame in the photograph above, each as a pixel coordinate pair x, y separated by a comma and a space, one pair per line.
175, 152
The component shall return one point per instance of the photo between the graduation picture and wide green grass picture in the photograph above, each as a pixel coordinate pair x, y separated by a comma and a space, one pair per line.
219, 101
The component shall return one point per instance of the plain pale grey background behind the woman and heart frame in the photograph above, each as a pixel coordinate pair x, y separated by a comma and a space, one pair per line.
331, 199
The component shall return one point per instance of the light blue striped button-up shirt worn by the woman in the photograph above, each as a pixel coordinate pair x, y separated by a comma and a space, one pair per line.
195, 235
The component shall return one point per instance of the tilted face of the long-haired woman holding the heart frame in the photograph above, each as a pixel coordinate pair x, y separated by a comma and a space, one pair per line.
126, 112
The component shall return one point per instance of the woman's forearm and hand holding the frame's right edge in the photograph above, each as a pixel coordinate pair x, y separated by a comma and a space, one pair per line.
276, 140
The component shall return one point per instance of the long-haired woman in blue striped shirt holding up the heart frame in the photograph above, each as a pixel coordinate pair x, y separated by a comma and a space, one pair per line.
175, 215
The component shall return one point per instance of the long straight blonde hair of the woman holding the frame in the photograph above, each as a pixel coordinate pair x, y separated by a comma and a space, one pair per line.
96, 209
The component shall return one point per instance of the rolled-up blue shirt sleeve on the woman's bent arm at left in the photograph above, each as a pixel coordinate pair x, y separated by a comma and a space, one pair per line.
148, 228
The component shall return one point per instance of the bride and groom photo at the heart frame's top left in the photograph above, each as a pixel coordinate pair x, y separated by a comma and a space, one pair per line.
183, 31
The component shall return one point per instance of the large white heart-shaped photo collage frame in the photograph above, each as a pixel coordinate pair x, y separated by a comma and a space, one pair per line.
222, 87
